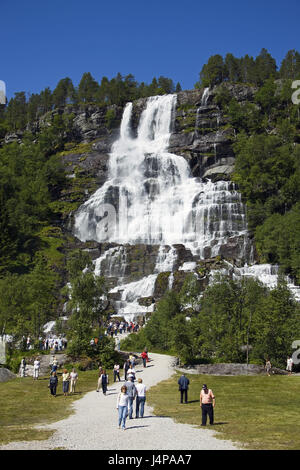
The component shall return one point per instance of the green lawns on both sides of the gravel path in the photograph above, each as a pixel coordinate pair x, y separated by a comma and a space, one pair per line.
257, 412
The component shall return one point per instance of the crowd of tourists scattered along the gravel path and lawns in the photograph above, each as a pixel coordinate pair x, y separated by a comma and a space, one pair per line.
133, 389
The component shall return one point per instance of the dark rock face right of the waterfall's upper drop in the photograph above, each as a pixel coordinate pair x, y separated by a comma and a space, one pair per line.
202, 134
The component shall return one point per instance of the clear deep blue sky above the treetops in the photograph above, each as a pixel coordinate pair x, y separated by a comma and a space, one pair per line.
43, 41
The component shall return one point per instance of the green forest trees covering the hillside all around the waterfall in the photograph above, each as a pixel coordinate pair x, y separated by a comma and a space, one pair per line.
33, 264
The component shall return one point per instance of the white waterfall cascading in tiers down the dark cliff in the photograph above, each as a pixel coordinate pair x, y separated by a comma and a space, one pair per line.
151, 198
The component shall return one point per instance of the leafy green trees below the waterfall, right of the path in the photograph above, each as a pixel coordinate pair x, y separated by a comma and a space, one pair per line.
234, 321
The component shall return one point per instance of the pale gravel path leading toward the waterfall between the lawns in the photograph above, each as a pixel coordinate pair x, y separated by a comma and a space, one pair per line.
94, 424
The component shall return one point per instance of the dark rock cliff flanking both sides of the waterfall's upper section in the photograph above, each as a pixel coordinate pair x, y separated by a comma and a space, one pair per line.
201, 132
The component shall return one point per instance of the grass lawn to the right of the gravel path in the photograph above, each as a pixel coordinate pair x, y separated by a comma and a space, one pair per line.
256, 412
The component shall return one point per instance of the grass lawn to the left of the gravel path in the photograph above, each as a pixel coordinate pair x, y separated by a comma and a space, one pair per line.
26, 403
